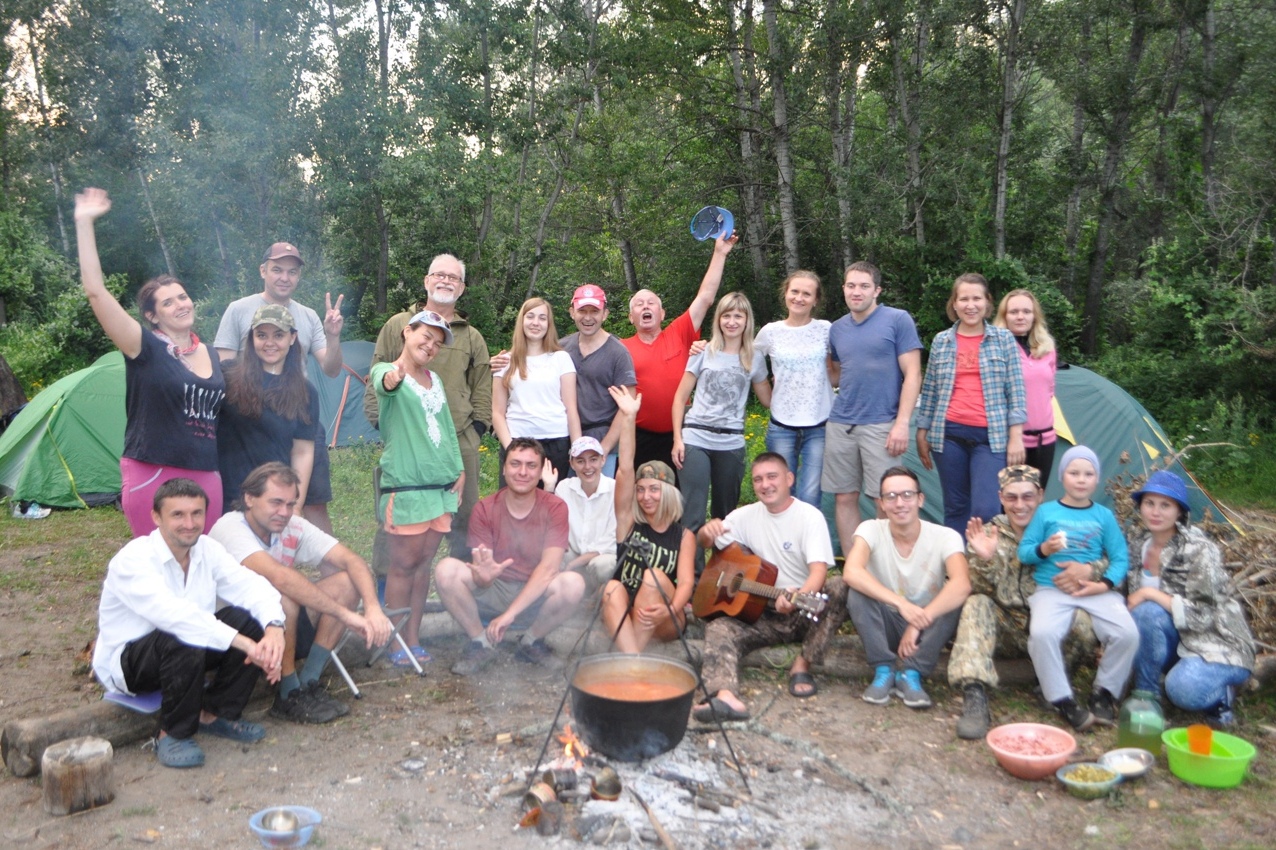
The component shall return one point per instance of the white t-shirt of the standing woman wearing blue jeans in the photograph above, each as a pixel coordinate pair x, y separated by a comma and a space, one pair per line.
802, 396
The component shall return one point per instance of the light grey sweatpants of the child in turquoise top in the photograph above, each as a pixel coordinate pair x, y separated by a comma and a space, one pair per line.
1051, 622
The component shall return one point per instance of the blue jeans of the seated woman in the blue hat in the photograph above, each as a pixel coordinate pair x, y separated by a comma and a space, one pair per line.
1191, 683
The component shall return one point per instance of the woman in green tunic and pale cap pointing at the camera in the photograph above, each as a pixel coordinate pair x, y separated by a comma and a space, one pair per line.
422, 474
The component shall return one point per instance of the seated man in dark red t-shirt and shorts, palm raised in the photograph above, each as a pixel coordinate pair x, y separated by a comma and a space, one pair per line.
519, 537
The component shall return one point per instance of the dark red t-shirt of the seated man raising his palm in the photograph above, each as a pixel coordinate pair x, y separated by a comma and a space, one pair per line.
525, 541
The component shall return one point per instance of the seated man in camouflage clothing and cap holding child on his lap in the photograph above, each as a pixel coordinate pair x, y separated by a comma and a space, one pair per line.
996, 617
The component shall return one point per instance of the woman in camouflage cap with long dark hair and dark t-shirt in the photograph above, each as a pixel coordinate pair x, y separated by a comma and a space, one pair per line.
271, 409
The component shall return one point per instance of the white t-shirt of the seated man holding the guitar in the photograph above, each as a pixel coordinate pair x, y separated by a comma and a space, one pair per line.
793, 541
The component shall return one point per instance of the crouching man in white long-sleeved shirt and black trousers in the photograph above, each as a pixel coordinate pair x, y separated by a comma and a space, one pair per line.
158, 629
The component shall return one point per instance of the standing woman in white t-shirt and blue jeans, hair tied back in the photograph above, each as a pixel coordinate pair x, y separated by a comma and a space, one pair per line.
802, 395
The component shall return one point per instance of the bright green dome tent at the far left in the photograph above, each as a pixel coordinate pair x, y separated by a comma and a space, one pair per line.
64, 449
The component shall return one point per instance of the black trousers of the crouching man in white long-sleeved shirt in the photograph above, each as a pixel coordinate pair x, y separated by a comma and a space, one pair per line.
159, 662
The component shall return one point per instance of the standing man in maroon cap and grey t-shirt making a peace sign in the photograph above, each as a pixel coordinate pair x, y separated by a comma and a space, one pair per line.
281, 274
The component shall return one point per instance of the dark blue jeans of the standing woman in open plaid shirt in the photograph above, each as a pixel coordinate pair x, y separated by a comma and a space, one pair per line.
968, 473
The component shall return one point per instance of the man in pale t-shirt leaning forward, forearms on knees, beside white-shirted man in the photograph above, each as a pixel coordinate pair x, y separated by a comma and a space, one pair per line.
271, 539
